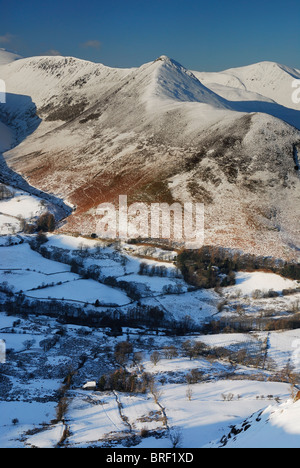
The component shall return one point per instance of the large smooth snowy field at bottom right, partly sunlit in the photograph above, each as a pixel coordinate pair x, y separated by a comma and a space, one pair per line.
207, 414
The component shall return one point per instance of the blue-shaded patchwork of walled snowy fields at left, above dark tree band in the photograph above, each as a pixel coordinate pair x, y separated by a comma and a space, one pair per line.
26, 270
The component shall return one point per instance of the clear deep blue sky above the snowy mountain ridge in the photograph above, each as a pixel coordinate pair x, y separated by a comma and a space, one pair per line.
202, 35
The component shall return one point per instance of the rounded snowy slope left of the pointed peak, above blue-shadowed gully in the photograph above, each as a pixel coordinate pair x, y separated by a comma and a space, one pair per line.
59, 88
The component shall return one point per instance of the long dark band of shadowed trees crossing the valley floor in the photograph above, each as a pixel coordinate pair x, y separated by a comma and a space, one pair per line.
141, 315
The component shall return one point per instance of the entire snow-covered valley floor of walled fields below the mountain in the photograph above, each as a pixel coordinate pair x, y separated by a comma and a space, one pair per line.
195, 397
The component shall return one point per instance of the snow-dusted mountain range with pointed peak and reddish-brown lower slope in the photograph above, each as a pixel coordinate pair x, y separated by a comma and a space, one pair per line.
160, 133
